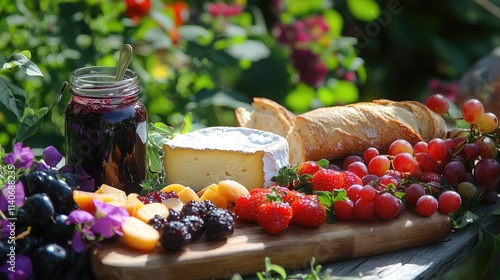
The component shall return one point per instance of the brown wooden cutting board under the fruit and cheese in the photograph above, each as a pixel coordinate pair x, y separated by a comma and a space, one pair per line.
244, 252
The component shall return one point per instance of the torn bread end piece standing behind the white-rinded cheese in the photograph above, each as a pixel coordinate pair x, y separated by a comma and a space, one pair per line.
267, 115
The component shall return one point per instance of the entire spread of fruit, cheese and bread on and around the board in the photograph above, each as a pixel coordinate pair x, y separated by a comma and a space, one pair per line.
331, 184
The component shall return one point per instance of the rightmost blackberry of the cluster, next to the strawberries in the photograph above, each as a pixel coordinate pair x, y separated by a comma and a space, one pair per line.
219, 224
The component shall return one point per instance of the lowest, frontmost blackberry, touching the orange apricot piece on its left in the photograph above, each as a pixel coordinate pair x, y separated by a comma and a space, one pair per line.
175, 236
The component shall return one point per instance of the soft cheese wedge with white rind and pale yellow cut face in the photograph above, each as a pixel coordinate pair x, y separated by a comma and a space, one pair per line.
202, 157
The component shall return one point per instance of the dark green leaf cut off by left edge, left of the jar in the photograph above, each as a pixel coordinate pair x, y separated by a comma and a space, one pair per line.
12, 97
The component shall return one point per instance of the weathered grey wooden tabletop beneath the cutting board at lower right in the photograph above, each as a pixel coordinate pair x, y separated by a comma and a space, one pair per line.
431, 261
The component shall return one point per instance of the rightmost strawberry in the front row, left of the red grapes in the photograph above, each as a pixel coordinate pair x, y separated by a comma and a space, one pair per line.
308, 213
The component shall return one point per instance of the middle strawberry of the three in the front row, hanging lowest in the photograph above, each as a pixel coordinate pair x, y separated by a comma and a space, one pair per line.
274, 217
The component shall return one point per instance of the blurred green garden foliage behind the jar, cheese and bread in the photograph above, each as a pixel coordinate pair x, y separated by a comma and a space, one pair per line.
401, 51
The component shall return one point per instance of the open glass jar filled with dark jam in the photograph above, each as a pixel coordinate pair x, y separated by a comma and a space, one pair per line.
106, 127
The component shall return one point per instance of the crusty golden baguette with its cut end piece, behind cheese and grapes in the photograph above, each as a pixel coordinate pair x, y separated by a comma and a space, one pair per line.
339, 131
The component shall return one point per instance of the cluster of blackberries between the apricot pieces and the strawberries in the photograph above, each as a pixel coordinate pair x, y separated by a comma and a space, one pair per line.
195, 219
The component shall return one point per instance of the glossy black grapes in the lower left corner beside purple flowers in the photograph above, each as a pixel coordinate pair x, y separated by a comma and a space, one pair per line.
42, 232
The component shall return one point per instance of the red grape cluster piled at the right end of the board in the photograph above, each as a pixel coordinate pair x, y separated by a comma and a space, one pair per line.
434, 175
